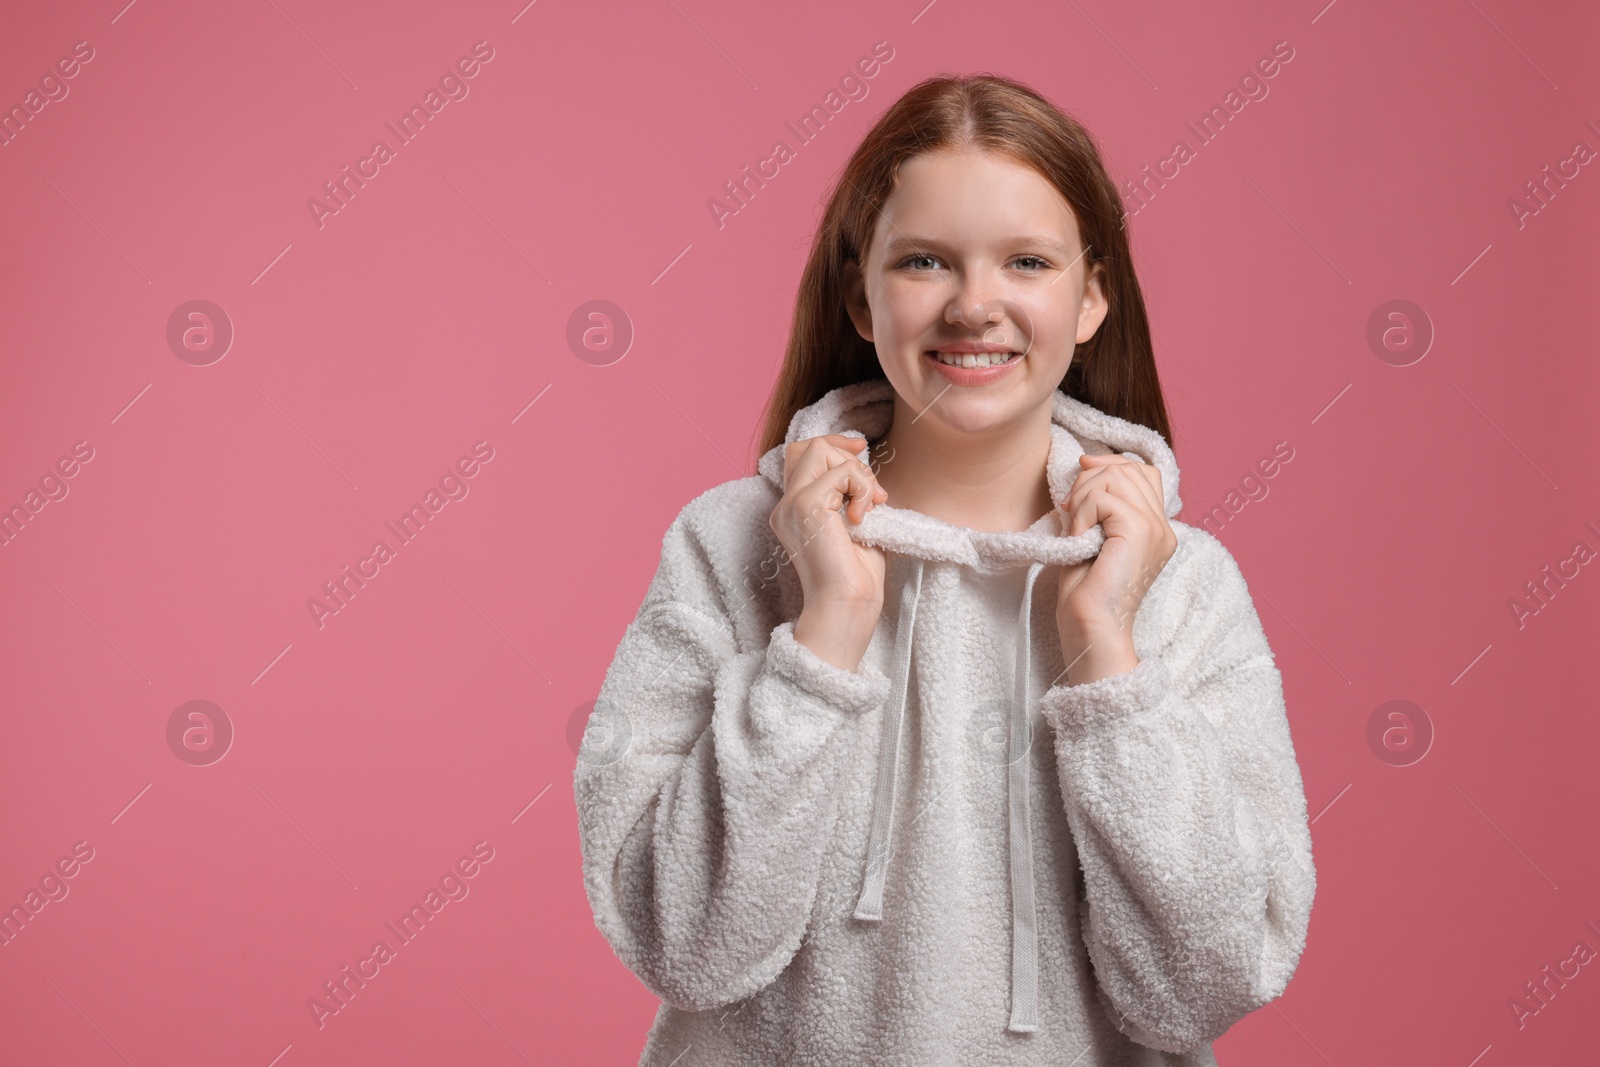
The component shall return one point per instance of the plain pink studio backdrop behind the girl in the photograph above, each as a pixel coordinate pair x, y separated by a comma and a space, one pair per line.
434, 711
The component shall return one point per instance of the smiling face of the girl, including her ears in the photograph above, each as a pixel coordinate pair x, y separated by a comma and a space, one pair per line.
975, 252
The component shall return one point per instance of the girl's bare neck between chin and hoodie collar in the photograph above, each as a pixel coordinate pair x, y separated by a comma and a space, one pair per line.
990, 481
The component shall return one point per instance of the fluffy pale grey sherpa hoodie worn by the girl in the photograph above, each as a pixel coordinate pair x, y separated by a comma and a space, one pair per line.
948, 855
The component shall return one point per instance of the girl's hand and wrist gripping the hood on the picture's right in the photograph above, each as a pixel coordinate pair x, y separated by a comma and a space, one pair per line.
1098, 599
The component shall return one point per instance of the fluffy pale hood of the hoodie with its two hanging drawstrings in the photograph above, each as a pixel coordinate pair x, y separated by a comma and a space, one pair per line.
866, 410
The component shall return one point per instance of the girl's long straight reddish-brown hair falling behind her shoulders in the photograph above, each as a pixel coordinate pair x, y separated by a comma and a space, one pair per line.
1114, 370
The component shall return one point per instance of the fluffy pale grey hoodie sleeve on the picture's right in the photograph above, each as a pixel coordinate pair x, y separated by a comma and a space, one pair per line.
1190, 817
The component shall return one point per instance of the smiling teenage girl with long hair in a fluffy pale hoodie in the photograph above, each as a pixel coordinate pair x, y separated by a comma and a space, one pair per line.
942, 740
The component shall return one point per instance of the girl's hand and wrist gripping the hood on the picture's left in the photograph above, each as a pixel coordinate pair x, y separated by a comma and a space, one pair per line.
842, 581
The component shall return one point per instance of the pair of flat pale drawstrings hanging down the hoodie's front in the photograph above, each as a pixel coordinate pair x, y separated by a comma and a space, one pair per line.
1020, 834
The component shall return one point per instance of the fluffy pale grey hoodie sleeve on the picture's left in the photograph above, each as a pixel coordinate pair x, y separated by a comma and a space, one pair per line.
706, 785
